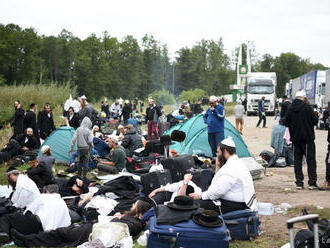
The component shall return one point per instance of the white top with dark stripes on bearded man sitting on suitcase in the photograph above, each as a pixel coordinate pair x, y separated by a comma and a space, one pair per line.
233, 182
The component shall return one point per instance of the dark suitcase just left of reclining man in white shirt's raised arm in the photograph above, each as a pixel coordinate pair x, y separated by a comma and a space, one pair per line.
154, 180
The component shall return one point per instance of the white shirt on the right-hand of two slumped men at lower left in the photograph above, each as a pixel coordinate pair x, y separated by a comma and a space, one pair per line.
53, 212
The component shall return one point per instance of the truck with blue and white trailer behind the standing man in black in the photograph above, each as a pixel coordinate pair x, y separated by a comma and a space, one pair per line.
314, 85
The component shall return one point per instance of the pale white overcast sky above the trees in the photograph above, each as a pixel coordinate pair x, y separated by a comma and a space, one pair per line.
275, 26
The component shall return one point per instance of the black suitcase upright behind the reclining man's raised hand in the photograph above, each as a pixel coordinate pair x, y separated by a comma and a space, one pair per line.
178, 166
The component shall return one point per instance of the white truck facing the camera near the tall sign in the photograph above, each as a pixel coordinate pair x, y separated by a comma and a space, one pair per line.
261, 84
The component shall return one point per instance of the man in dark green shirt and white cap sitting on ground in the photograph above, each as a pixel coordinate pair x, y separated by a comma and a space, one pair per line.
118, 158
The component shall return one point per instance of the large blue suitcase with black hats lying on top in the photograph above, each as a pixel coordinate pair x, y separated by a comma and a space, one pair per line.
186, 235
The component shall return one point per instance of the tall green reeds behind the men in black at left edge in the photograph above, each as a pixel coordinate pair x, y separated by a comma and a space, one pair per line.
27, 94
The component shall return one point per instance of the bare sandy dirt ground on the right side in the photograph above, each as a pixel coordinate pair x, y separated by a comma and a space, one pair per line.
278, 187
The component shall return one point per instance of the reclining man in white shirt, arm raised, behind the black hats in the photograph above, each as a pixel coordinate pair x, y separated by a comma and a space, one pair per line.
168, 192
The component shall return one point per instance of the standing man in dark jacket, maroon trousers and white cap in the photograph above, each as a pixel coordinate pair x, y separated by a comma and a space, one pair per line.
153, 112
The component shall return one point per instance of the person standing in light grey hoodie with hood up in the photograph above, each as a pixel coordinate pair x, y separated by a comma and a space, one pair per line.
83, 137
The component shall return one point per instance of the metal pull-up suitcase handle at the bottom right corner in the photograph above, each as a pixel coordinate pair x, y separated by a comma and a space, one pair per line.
314, 218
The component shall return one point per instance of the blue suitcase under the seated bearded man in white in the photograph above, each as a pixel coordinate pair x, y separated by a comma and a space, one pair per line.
242, 224
